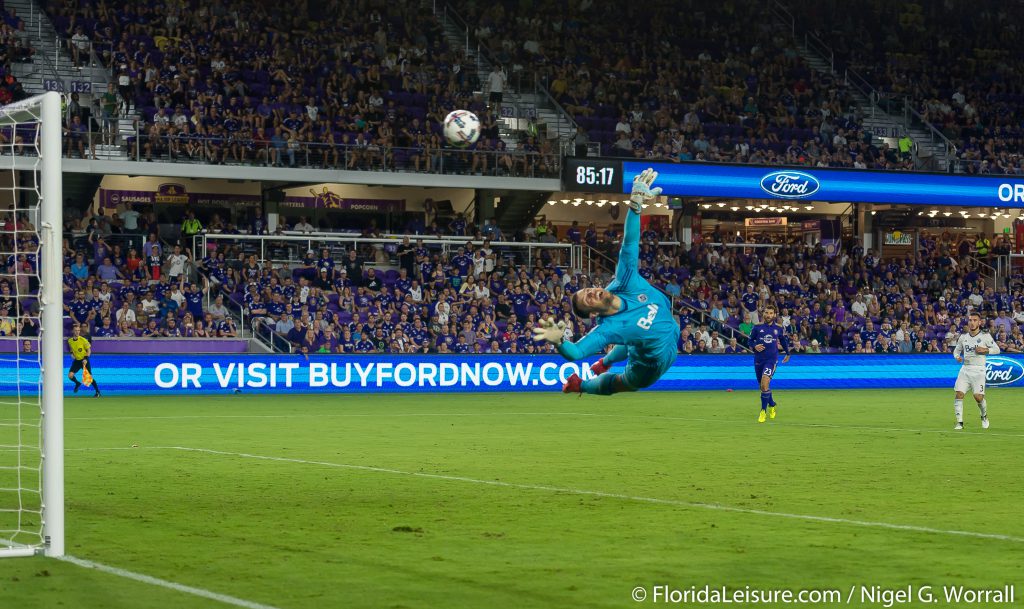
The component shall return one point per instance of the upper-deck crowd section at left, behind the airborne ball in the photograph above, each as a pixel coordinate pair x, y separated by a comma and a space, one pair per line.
231, 82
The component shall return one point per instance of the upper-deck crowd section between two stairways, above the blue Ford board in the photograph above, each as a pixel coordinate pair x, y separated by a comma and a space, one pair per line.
724, 84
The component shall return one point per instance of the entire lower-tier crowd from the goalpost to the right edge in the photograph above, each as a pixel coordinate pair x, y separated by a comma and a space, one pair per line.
482, 299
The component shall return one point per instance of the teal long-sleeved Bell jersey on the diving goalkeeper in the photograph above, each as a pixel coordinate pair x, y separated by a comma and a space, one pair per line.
645, 324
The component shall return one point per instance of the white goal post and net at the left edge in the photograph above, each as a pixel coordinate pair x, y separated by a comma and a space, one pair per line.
31, 329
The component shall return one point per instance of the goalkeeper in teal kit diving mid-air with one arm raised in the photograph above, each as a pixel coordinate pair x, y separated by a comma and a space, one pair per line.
633, 316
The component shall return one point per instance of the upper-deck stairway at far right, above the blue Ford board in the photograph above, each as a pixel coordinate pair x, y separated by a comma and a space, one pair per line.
886, 128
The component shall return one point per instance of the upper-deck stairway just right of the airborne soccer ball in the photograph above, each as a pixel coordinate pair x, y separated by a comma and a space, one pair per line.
552, 121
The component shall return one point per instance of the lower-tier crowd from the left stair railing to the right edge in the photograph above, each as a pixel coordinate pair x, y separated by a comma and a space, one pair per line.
479, 300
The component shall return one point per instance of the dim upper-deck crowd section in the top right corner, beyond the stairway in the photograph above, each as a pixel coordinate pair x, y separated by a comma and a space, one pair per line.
963, 73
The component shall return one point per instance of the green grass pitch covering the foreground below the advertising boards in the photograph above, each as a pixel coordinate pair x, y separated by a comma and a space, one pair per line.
528, 500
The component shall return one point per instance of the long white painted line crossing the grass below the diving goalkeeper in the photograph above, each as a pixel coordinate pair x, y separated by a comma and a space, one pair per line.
616, 496
